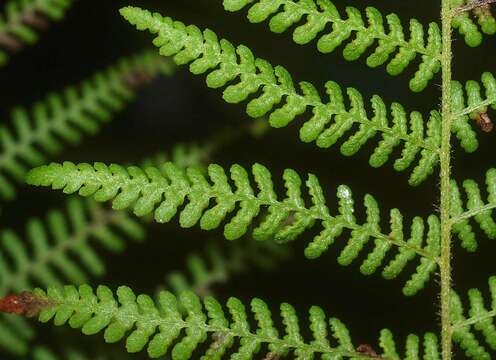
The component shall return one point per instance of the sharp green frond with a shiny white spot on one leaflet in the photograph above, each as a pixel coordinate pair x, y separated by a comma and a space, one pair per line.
164, 191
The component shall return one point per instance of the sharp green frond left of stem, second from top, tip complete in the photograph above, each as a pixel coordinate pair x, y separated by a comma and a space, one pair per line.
330, 121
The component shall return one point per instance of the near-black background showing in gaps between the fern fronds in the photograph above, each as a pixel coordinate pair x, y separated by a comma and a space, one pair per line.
182, 109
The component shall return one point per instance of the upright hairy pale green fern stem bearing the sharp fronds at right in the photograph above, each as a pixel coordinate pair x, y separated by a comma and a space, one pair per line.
445, 160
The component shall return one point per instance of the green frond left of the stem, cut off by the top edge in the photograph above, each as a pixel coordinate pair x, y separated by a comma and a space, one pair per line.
312, 17
